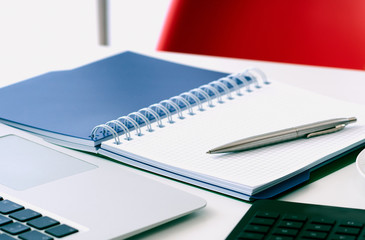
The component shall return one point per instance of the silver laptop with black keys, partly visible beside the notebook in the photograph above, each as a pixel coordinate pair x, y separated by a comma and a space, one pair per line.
50, 191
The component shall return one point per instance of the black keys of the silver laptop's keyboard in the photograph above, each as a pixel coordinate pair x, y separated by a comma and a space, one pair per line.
17, 222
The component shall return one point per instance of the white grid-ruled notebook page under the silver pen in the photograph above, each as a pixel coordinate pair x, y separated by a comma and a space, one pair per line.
182, 146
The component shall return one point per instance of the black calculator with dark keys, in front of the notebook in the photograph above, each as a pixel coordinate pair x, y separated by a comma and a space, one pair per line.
271, 219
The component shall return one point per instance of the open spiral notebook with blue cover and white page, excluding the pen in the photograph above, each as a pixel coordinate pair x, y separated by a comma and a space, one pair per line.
163, 117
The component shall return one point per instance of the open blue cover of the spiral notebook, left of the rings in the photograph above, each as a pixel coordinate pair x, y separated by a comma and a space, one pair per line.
71, 103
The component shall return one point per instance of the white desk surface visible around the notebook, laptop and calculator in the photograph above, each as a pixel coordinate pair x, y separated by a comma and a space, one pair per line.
343, 188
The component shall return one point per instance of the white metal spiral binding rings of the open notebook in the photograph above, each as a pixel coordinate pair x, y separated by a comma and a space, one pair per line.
177, 104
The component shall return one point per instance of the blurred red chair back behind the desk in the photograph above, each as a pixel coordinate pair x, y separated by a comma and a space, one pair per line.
314, 32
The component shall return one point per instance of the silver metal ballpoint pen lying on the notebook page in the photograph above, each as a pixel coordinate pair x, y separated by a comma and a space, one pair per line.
304, 131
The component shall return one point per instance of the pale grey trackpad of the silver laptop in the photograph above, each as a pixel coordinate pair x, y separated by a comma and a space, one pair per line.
25, 164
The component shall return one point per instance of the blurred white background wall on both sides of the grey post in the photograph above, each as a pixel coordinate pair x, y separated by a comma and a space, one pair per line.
50, 23
